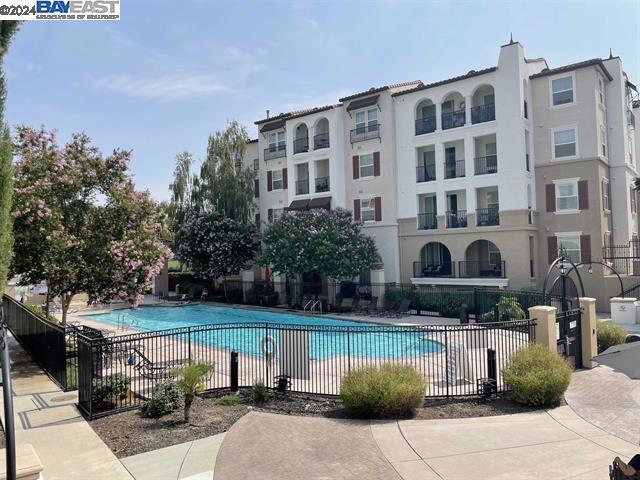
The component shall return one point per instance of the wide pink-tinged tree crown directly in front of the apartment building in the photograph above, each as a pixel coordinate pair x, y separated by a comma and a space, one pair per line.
328, 243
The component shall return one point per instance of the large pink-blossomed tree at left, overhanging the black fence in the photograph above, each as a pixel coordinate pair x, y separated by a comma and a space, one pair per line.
79, 224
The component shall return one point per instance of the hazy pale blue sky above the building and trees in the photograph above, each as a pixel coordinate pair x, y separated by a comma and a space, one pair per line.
166, 75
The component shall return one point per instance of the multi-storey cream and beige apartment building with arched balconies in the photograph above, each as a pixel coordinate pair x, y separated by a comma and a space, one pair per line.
474, 180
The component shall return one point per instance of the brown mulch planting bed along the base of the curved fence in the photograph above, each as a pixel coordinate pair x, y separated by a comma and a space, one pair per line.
129, 433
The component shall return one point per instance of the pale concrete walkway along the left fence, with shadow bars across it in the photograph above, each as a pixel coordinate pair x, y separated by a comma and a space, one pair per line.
47, 418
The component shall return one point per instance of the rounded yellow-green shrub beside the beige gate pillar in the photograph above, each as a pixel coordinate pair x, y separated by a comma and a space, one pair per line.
537, 376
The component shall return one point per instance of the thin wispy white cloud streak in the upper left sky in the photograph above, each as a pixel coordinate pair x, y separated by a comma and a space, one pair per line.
163, 87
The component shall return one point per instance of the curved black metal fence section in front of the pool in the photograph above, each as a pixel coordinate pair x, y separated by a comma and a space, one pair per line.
120, 373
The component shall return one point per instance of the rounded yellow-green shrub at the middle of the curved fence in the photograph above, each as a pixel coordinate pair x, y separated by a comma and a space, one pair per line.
387, 391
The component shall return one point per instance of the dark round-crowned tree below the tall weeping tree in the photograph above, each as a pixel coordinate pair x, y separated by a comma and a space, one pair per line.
214, 246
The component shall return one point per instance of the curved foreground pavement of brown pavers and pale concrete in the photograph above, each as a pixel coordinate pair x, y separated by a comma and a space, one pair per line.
548, 444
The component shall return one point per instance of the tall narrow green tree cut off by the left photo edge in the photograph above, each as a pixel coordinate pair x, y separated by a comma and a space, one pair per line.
7, 29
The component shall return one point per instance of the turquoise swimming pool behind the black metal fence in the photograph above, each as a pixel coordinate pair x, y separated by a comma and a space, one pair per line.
327, 337
